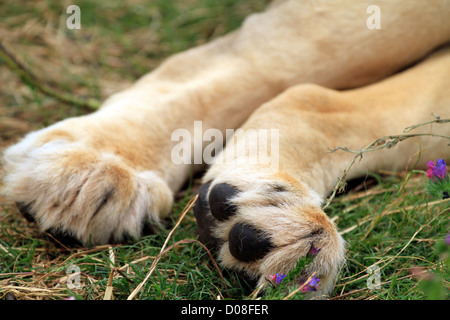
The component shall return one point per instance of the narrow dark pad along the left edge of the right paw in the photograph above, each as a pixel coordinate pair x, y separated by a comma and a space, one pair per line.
205, 222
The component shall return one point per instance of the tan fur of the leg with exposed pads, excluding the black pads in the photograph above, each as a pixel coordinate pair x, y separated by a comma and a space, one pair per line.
313, 120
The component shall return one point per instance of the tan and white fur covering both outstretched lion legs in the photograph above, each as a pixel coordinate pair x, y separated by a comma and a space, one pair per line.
122, 152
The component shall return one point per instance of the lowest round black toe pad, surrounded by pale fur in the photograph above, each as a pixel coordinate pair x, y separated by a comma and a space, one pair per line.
247, 244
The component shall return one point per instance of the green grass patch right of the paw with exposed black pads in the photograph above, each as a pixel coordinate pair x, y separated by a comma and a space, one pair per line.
400, 229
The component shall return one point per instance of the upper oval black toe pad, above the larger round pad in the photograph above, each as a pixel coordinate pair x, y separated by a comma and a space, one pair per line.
219, 203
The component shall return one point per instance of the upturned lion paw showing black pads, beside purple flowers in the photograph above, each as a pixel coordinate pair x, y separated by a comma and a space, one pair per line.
264, 227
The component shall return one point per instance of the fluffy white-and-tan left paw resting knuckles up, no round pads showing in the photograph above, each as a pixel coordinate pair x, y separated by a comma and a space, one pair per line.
76, 191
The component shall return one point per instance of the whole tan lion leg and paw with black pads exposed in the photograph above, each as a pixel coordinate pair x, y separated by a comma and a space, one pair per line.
262, 218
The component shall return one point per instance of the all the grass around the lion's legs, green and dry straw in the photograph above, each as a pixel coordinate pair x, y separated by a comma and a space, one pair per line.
388, 220
